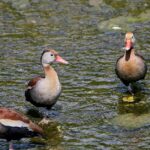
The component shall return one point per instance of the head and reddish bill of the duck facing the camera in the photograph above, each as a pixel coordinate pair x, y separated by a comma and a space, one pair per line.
129, 41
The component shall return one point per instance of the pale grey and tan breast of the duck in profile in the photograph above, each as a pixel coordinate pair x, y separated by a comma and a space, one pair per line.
47, 89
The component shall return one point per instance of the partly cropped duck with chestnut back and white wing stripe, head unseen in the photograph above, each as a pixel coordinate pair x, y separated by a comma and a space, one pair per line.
14, 126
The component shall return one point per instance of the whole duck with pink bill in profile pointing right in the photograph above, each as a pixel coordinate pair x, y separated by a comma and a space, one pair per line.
43, 92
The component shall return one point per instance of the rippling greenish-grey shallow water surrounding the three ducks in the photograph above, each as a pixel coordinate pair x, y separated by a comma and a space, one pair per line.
90, 113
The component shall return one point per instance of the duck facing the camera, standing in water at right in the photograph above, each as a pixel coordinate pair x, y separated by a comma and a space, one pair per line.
130, 67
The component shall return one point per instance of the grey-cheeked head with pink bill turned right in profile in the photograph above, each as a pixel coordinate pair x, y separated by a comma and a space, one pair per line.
50, 56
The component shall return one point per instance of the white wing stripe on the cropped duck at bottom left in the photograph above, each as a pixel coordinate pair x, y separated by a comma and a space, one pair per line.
14, 123
